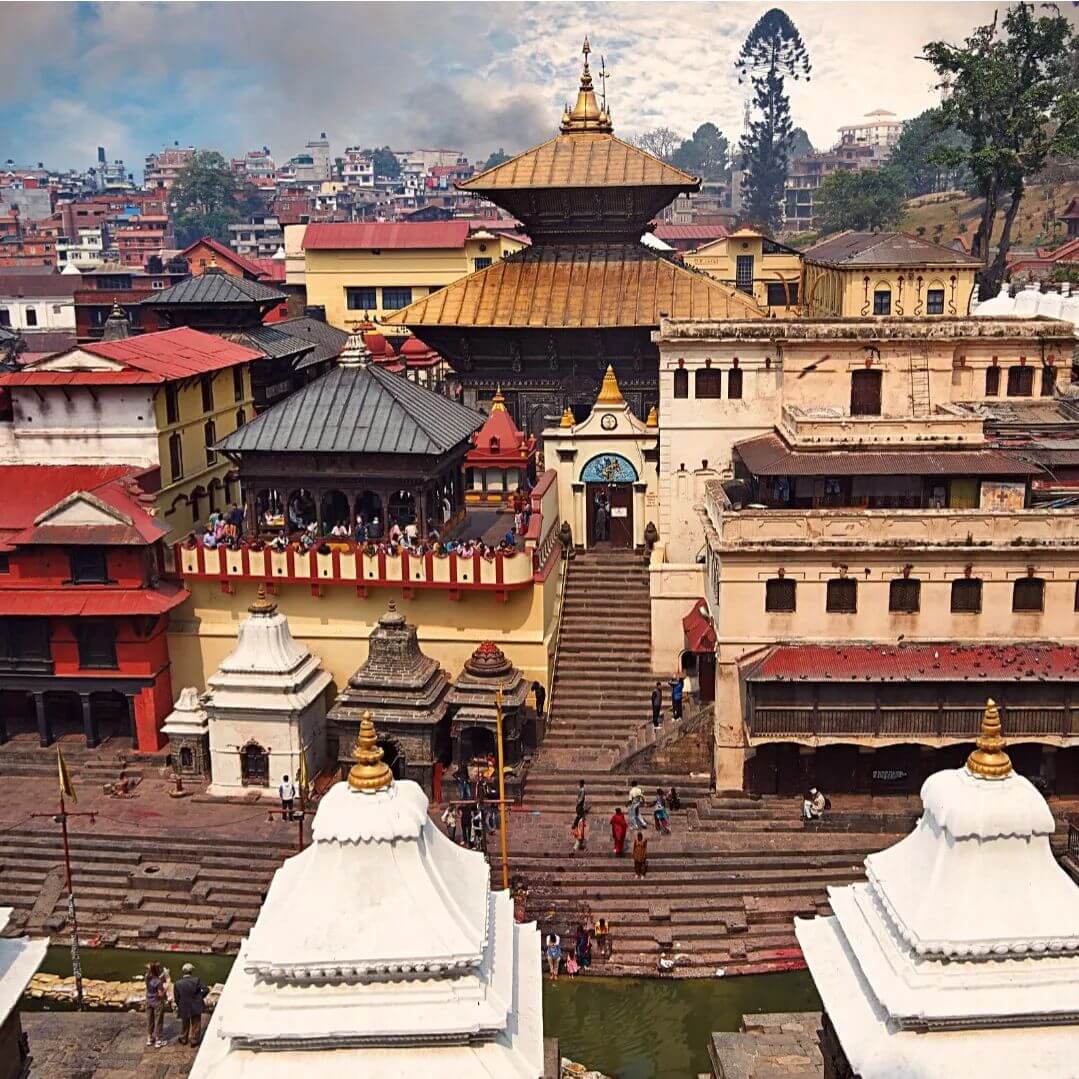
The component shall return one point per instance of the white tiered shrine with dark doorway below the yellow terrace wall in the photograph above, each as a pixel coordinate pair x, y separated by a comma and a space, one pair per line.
266, 705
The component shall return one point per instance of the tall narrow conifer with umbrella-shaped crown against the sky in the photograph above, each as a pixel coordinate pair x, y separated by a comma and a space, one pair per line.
773, 52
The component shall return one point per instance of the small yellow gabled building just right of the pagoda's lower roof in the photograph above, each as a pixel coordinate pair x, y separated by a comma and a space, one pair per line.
755, 264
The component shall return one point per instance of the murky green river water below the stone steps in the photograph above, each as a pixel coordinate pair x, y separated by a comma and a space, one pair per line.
625, 1028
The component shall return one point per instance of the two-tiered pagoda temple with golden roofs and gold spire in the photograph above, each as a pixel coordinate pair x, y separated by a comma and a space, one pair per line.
545, 322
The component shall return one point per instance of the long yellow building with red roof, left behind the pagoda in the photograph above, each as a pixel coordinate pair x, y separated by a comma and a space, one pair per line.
361, 272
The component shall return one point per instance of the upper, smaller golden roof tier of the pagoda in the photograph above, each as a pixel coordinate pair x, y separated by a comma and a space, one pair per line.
582, 160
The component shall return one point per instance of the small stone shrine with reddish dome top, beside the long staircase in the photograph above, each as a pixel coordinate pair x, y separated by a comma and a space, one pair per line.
474, 707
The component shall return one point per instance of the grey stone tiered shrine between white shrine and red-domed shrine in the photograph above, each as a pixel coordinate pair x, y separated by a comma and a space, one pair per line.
406, 692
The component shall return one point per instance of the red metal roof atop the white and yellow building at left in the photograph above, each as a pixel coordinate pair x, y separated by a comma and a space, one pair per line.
179, 353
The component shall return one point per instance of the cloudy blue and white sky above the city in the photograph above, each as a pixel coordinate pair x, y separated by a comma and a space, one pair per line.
134, 77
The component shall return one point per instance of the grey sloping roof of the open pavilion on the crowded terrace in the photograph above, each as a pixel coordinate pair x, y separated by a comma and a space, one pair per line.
359, 411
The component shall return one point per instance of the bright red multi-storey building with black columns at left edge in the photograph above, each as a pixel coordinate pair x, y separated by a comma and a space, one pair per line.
84, 608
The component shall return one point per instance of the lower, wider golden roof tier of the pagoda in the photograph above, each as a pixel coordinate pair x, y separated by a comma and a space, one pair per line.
573, 286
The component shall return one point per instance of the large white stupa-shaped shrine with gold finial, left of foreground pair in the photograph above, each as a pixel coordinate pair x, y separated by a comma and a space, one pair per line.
380, 952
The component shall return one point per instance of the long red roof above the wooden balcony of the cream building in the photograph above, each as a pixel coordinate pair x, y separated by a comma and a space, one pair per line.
917, 663
